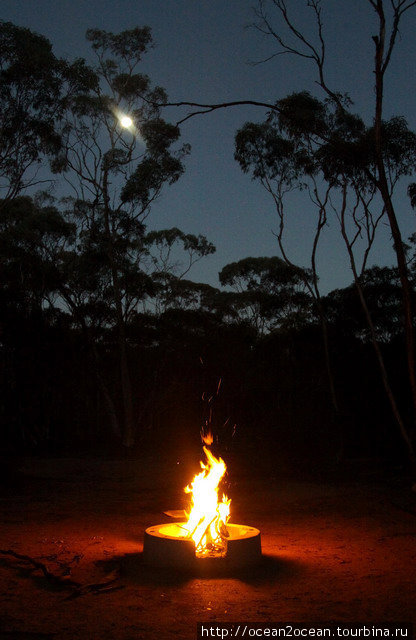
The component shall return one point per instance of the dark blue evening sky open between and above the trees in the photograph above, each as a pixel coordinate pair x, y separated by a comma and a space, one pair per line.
203, 53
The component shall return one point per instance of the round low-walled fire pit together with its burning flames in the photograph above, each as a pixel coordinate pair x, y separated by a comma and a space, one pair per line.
206, 540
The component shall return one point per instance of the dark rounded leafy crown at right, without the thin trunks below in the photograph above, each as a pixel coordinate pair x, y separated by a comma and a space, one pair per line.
307, 137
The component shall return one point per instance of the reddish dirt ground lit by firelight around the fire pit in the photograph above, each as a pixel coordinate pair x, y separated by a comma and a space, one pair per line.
340, 551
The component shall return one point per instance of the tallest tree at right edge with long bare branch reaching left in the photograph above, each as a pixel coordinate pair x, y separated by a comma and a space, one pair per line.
353, 154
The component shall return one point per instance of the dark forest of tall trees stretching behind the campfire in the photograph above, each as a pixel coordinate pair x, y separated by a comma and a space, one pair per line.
107, 345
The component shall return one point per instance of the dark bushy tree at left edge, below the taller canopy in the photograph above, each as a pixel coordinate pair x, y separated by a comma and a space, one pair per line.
32, 233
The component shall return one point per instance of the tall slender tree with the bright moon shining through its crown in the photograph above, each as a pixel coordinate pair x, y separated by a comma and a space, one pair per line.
117, 173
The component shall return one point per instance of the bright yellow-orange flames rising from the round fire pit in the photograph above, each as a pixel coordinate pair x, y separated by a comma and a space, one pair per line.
207, 522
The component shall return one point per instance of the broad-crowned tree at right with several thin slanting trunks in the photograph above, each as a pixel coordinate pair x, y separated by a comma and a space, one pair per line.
317, 147
